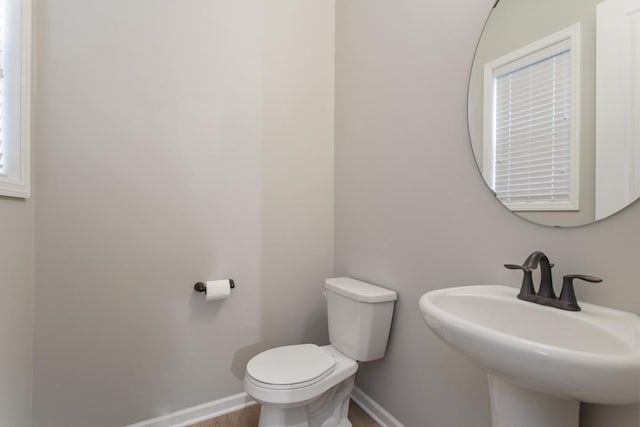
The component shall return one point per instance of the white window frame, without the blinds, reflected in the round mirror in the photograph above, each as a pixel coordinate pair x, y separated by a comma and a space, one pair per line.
548, 46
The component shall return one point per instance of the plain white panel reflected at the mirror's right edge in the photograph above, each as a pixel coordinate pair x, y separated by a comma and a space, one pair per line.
617, 105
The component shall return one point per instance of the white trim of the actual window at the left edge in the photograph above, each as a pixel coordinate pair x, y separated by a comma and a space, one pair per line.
20, 185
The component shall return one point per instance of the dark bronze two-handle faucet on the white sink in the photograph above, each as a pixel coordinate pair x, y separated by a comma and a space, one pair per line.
546, 294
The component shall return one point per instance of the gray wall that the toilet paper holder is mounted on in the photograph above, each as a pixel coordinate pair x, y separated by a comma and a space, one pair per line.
177, 141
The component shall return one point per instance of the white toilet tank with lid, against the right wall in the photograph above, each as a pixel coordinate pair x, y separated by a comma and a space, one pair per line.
359, 316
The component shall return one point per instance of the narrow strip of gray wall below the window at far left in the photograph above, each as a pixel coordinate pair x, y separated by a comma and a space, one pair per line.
16, 312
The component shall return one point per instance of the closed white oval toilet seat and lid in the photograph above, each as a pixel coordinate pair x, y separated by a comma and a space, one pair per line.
290, 367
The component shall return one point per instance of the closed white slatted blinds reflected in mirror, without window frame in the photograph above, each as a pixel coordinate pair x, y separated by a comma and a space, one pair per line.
533, 132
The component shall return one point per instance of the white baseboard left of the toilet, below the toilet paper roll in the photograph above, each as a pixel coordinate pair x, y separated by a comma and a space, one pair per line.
196, 414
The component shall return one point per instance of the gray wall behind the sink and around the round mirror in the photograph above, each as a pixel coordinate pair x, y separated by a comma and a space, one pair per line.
413, 214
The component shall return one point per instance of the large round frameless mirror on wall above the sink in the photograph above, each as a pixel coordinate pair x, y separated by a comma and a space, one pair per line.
554, 107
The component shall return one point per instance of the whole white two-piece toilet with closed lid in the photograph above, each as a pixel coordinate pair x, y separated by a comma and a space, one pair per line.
310, 386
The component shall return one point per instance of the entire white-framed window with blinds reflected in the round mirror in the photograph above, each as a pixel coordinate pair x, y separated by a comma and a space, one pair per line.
531, 135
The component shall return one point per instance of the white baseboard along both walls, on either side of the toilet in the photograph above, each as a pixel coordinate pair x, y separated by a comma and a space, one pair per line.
217, 408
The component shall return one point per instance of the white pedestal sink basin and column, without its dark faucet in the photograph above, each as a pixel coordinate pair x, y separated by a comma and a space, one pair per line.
541, 361
